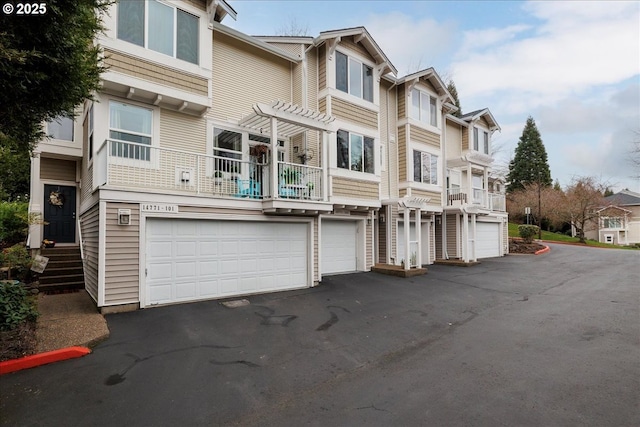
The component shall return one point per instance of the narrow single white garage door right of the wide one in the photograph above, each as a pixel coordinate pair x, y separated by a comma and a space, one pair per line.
338, 247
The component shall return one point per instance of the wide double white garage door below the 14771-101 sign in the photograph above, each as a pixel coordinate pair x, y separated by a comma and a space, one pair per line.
189, 260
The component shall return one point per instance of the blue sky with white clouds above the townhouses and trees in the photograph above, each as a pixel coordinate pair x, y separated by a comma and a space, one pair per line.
573, 66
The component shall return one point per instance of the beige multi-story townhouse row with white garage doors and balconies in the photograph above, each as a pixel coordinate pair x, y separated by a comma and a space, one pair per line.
214, 164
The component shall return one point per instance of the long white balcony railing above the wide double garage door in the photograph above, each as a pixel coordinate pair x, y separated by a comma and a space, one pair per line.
132, 165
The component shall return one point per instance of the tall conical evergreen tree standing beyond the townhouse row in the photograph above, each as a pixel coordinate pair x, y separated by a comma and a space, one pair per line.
529, 165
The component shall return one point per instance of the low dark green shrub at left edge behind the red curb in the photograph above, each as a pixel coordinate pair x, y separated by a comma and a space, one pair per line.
16, 306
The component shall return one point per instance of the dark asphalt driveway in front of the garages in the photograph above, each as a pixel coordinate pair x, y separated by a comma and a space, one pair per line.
522, 340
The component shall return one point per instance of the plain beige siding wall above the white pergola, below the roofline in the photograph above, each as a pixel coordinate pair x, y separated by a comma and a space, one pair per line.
244, 75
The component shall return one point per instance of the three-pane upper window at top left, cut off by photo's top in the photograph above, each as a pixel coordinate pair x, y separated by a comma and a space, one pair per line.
160, 27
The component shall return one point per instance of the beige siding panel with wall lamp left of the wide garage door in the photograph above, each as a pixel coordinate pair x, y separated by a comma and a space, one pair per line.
122, 256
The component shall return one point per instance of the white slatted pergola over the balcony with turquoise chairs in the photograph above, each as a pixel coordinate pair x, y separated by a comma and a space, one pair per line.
292, 119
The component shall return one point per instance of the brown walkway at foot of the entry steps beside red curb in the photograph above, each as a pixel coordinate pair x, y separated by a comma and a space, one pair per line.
70, 319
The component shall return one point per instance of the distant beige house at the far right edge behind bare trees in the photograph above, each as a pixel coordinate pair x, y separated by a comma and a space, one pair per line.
619, 221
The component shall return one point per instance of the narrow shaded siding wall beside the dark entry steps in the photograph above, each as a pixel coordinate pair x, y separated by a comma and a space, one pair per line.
89, 226
